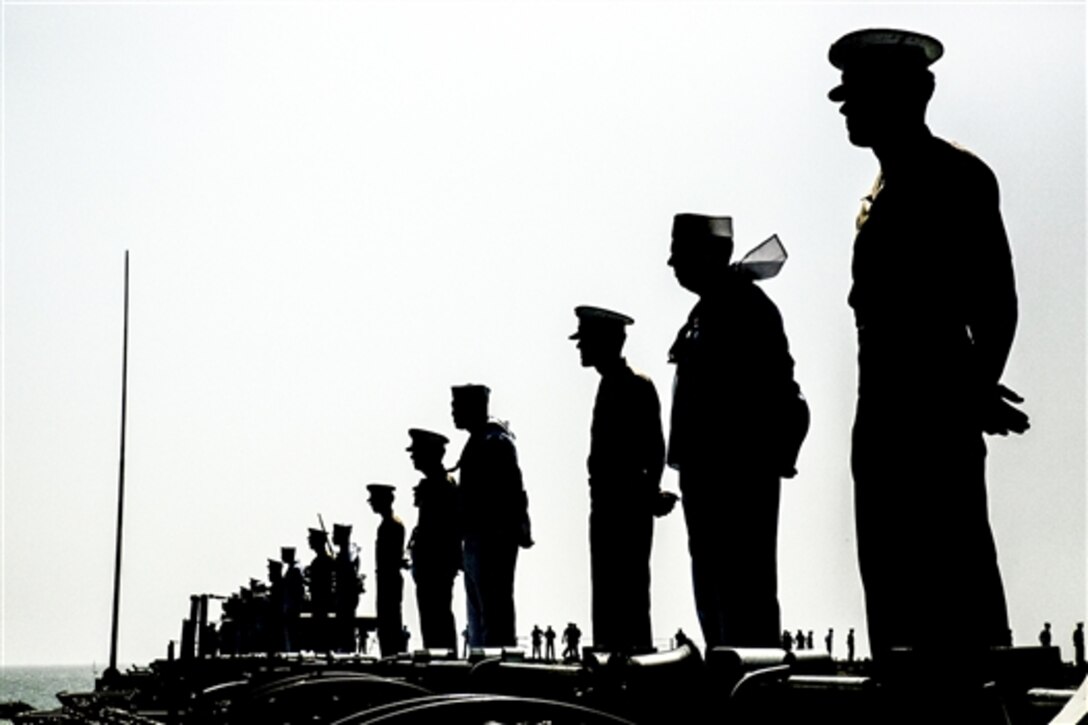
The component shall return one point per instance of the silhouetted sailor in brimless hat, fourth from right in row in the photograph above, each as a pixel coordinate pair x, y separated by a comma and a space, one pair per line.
496, 519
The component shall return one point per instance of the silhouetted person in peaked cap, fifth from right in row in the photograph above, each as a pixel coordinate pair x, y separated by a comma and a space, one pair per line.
436, 544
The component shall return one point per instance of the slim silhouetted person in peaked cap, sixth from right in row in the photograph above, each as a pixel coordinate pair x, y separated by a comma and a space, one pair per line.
389, 561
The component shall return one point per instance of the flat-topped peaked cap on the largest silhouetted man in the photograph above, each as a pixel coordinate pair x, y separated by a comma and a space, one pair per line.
882, 58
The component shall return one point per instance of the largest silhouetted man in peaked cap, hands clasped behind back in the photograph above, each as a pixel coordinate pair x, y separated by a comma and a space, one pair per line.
935, 305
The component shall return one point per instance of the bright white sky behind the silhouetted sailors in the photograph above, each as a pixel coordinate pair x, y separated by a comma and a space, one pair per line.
337, 212
